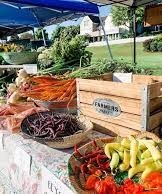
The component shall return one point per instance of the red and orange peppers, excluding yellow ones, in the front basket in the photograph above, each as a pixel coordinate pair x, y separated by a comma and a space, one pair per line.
97, 174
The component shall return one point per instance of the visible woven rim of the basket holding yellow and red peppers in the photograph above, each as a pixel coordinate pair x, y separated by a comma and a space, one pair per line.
76, 179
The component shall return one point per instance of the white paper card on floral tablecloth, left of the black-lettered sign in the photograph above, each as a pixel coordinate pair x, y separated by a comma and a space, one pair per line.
23, 160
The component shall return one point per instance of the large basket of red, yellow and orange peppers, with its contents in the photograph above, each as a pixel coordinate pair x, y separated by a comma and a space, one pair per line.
124, 166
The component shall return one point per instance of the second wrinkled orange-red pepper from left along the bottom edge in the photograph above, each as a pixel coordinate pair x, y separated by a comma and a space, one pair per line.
101, 187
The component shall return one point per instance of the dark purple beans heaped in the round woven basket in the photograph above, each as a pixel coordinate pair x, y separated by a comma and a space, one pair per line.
50, 125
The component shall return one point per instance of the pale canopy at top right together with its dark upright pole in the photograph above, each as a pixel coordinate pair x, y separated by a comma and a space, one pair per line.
133, 4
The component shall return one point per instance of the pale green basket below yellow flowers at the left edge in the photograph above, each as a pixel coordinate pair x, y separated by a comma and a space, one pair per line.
18, 58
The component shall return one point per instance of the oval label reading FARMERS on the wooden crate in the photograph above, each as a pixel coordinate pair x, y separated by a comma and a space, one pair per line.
107, 107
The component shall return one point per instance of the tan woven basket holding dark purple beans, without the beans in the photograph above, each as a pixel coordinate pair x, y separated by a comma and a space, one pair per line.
65, 142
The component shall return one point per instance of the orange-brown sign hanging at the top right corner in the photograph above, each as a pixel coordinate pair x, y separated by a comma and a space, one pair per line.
153, 15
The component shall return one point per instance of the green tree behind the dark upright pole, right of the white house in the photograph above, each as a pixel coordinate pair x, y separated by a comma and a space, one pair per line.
122, 15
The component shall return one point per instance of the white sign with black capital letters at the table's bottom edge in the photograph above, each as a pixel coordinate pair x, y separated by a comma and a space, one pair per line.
52, 185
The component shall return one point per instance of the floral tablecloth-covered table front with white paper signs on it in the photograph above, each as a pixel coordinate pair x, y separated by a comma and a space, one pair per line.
33, 168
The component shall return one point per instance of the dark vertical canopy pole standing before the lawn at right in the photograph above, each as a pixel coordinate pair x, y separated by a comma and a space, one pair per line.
134, 35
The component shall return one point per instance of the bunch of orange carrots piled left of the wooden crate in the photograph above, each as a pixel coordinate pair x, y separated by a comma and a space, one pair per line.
47, 88
